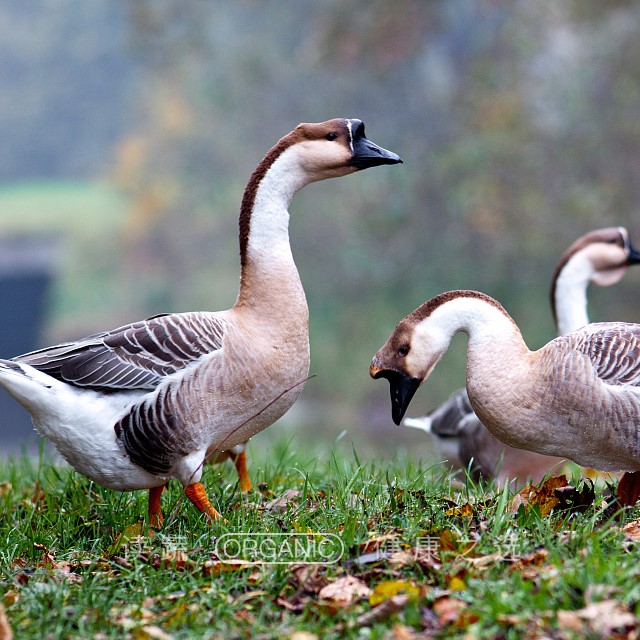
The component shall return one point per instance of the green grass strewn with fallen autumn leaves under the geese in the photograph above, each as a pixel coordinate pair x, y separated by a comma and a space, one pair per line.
77, 563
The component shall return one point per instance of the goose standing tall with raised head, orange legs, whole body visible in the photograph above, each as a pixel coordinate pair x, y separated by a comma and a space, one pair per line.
136, 406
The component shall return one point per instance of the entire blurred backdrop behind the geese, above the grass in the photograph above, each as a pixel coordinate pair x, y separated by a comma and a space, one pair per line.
129, 130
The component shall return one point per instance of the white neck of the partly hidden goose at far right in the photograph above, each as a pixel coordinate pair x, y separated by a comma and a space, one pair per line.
569, 295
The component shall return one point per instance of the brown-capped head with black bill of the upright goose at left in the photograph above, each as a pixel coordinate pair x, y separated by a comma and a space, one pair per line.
336, 148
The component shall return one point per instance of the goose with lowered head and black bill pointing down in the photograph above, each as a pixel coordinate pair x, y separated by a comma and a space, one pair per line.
577, 397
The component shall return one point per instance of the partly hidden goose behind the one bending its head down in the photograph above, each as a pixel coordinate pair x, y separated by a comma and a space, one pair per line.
601, 257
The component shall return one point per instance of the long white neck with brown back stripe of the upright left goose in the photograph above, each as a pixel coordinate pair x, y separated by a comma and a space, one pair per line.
268, 271
